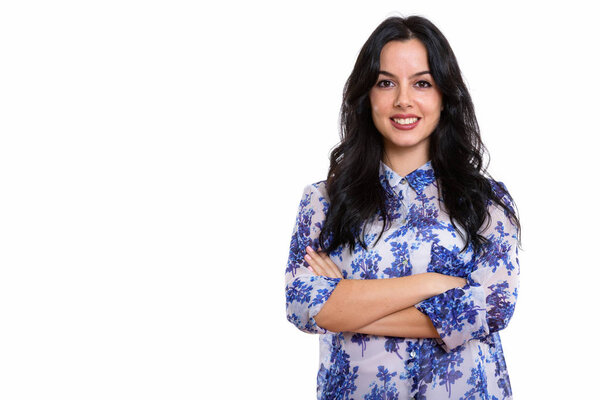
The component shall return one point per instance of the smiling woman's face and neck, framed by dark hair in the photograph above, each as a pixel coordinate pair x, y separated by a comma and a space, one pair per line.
405, 102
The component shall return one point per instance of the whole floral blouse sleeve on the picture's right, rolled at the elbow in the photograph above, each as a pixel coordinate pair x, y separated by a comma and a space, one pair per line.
486, 304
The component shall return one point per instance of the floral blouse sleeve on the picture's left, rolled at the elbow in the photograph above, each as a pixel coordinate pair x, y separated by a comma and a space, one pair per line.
306, 293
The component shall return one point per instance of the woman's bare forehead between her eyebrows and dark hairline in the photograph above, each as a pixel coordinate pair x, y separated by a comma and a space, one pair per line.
406, 55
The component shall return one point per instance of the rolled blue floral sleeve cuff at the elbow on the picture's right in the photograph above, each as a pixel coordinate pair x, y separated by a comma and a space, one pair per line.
458, 315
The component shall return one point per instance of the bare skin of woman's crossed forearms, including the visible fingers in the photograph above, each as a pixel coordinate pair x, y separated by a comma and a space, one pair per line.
357, 303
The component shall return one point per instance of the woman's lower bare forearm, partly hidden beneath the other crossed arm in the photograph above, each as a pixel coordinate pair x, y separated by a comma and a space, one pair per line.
409, 322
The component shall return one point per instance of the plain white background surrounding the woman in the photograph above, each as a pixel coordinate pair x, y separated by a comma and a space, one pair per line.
152, 158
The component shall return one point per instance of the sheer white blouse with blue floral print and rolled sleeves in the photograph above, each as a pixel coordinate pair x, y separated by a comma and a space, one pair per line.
467, 361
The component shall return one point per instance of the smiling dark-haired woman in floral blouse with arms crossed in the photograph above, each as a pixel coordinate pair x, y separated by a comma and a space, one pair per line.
405, 259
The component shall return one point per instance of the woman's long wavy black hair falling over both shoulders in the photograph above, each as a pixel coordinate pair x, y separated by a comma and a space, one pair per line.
456, 150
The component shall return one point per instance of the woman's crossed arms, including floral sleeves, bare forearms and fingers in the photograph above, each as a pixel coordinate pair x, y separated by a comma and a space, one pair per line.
427, 305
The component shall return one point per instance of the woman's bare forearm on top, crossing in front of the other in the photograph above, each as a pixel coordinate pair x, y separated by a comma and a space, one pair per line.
356, 303
